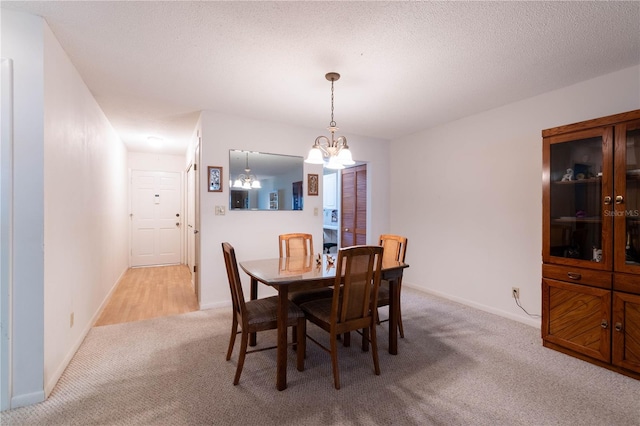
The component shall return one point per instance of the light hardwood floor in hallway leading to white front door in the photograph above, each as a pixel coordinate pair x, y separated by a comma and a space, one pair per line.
152, 292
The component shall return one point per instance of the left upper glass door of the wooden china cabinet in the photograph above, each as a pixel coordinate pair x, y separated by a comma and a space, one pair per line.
578, 182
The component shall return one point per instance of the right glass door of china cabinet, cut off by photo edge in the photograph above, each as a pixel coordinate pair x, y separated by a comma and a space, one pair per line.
627, 197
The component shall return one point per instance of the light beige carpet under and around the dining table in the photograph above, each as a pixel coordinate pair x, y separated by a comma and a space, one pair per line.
456, 366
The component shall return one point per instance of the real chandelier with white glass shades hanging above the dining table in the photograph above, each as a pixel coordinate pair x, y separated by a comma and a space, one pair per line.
336, 150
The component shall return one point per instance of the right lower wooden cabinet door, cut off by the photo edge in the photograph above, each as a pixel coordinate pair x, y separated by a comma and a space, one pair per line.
626, 334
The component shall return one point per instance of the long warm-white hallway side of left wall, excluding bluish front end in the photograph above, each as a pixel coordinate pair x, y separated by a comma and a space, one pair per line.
86, 210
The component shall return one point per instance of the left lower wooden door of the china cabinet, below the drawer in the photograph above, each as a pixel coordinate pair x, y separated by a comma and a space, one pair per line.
577, 317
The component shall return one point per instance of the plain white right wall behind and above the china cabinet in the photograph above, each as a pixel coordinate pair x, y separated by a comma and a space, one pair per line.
475, 223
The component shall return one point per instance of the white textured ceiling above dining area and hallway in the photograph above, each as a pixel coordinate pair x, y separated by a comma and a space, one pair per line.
405, 66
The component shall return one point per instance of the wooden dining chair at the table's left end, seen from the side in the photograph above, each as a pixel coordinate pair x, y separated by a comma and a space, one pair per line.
257, 315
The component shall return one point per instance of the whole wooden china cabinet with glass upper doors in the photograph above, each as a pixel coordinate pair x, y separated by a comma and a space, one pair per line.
591, 241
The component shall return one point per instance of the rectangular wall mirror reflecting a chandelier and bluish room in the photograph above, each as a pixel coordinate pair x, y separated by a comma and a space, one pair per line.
279, 177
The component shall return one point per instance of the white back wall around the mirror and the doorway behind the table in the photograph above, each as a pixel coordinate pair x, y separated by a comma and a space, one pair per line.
254, 234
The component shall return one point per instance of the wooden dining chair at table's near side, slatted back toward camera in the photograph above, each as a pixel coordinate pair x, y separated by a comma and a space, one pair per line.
353, 304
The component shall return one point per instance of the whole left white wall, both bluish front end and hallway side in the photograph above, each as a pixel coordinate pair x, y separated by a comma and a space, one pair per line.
69, 229
